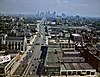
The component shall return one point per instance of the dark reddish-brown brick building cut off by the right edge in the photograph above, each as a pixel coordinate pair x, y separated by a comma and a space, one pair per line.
92, 56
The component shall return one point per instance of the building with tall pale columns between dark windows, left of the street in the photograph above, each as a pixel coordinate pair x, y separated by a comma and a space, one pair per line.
16, 43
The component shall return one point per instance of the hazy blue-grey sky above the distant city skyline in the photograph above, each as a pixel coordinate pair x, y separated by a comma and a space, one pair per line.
70, 7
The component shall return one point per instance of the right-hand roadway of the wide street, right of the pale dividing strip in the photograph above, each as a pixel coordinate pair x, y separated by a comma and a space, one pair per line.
37, 54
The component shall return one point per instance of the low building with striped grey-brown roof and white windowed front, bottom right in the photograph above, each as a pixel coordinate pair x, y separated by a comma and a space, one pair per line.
77, 69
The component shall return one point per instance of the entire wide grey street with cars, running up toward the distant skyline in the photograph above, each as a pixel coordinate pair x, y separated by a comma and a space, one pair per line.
30, 62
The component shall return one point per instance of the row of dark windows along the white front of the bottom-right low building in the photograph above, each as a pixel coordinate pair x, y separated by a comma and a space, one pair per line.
81, 73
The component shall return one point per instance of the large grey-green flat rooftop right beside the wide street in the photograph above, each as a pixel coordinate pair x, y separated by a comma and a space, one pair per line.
52, 58
